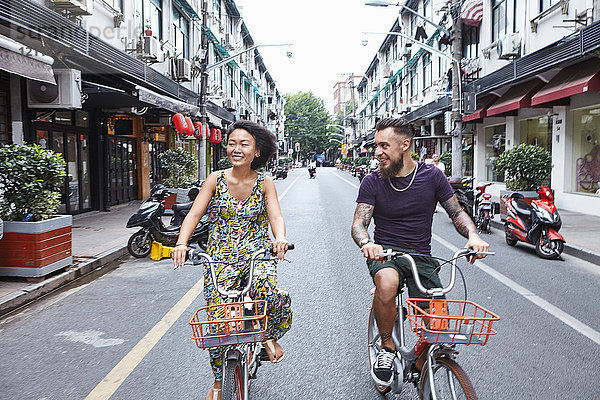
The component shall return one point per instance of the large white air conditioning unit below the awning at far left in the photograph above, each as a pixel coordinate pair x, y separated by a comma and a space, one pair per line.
65, 94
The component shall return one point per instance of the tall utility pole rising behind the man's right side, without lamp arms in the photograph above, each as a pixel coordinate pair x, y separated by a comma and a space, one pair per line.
456, 92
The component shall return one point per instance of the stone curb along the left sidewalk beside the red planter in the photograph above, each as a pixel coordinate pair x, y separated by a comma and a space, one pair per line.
34, 291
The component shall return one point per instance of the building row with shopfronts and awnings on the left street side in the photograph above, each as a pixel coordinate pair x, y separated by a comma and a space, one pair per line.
99, 80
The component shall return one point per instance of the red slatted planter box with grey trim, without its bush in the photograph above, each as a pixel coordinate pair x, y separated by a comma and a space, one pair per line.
35, 249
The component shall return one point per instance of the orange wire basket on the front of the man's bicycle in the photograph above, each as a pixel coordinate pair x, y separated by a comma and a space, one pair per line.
451, 321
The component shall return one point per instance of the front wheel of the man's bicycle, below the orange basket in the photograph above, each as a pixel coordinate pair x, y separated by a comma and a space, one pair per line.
450, 381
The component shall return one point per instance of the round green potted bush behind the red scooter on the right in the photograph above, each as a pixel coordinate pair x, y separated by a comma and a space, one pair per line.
525, 167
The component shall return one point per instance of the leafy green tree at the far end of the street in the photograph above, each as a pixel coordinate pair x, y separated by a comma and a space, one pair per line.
306, 120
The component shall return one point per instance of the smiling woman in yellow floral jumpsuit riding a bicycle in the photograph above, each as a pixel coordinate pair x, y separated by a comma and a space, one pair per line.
242, 203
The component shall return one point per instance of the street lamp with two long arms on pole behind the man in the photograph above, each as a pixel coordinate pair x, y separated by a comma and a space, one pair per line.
456, 75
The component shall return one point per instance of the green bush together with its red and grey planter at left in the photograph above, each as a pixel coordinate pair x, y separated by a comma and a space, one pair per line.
36, 240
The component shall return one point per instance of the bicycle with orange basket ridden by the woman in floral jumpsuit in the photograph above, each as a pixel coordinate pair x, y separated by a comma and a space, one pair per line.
240, 332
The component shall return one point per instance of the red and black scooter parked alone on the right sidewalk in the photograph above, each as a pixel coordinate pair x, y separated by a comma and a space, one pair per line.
536, 224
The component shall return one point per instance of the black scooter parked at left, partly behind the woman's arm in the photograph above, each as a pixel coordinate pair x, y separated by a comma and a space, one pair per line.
148, 217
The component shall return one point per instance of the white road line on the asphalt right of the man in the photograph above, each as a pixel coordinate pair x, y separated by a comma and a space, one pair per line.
574, 323
